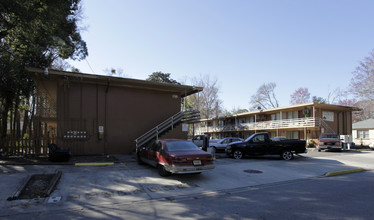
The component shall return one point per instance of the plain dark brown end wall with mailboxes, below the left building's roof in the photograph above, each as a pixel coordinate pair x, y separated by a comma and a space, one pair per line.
125, 113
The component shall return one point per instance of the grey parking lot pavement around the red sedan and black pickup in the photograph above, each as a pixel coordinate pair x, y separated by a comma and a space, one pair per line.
127, 182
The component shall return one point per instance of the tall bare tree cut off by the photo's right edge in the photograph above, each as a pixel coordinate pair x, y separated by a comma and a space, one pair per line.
362, 82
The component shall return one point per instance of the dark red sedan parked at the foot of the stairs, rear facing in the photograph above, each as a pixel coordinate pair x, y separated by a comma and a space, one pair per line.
175, 156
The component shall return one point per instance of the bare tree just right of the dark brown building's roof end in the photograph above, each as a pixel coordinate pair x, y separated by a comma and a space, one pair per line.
207, 102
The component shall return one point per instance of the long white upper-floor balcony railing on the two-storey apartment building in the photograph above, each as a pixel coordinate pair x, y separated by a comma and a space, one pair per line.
265, 125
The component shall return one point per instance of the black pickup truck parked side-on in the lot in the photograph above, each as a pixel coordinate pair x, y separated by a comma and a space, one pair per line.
261, 144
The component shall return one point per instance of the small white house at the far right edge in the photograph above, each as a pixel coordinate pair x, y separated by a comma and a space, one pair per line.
363, 132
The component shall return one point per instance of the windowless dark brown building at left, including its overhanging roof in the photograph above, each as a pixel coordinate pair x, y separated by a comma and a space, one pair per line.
96, 114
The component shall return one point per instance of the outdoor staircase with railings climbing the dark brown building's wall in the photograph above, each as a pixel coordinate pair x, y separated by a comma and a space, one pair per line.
167, 125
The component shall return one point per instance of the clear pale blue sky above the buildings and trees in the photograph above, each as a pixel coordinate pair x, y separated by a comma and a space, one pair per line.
315, 44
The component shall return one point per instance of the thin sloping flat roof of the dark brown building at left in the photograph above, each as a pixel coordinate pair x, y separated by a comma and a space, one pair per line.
183, 90
